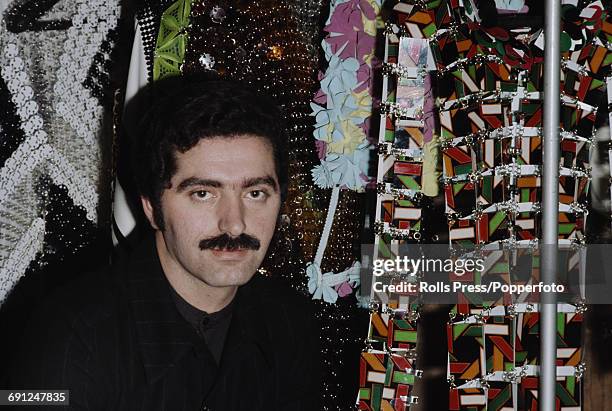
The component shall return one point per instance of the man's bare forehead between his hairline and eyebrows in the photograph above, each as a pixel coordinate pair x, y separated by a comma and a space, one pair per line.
227, 158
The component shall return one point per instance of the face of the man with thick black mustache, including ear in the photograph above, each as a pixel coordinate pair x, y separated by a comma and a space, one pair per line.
223, 200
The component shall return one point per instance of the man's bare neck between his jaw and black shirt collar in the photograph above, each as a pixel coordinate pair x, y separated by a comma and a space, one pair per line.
193, 290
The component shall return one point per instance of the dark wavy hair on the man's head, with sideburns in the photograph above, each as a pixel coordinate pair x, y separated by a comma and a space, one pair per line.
173, 114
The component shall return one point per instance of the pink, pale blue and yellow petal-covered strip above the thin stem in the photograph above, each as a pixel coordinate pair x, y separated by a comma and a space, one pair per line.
343, 105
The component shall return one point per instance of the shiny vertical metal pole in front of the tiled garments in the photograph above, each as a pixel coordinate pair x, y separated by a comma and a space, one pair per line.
550, 197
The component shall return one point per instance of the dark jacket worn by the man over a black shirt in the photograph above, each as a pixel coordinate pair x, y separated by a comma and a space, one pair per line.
116, 340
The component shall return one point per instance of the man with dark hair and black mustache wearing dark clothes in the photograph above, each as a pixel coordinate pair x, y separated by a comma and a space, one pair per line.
184, 323
